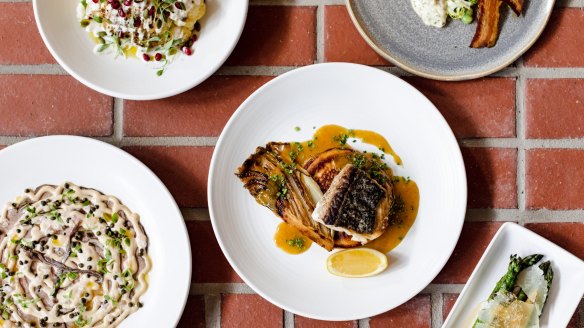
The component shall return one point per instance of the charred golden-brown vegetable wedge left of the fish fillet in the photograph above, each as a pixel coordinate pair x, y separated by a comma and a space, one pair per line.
296, 207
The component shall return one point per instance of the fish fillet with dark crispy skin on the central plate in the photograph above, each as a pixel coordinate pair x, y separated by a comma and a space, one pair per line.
354, 204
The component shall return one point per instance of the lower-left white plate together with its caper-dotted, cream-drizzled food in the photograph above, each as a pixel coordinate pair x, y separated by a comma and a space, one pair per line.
89, 237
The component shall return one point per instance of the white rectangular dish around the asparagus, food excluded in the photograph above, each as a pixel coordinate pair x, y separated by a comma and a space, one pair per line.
567, 287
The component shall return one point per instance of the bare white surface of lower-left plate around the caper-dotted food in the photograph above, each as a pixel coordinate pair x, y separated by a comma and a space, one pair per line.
98, 165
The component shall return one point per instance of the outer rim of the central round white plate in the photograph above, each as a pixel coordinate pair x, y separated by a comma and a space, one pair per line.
212, 172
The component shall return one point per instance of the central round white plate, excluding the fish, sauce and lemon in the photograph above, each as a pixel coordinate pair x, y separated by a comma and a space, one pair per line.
357, 97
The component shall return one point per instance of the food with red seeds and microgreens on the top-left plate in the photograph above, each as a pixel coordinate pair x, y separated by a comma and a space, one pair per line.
153, 30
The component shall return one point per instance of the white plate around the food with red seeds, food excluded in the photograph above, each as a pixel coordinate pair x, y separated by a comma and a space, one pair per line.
131, 78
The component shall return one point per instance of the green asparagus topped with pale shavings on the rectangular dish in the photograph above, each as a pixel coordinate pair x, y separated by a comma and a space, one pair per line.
519, 297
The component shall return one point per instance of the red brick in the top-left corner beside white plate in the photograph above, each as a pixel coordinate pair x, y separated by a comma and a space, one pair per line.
22, 43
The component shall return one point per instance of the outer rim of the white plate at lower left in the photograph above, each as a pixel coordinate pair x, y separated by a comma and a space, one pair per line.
67, 138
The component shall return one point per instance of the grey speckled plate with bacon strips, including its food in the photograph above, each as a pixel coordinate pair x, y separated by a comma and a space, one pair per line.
455, 49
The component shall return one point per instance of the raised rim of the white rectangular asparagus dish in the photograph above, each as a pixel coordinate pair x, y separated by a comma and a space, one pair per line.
508, 228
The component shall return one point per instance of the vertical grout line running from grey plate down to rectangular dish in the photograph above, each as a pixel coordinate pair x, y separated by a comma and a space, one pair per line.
520, 116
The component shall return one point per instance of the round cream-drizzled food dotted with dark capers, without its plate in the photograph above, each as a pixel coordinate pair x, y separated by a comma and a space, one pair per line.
70, 257
